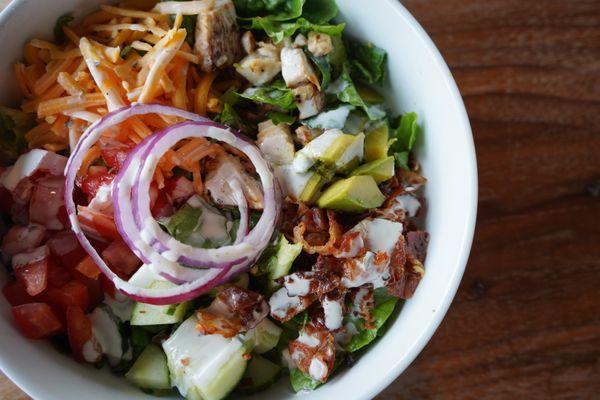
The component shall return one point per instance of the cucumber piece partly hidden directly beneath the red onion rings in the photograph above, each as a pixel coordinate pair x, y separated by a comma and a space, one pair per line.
147, 314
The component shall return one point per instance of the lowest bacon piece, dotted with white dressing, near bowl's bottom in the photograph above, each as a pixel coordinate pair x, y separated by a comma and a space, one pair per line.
313, 352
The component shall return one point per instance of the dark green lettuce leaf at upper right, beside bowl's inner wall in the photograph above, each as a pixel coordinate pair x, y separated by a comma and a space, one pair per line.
368, 62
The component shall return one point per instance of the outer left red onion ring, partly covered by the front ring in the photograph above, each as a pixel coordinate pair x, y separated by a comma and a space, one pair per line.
186, 291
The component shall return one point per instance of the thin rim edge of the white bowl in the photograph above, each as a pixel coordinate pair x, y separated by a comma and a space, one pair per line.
466, 236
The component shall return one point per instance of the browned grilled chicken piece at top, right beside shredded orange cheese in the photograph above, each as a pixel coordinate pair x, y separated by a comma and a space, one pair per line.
218, 36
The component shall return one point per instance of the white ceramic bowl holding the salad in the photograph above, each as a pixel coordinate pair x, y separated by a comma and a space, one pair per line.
420, 81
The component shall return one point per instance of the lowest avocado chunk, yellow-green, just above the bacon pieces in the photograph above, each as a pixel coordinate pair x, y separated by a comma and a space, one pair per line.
354, 194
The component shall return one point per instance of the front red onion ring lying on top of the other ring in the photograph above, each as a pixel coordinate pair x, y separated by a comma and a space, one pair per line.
240, 253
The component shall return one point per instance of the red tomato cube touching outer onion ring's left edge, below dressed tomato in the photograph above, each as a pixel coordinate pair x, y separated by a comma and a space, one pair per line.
47, 206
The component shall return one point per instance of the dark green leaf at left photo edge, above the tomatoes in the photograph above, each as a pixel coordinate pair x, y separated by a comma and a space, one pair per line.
14, 124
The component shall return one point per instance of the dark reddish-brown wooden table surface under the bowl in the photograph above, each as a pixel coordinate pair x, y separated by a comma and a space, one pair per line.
525, 323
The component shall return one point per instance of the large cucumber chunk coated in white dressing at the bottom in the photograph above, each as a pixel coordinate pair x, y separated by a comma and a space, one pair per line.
204, 367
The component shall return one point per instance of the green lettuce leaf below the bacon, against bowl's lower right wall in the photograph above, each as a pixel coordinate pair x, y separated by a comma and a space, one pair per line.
384, 306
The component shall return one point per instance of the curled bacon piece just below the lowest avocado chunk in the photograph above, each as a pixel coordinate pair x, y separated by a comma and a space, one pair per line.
313, 223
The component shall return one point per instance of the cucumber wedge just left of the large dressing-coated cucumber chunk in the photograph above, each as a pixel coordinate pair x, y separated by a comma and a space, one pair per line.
150, 370
